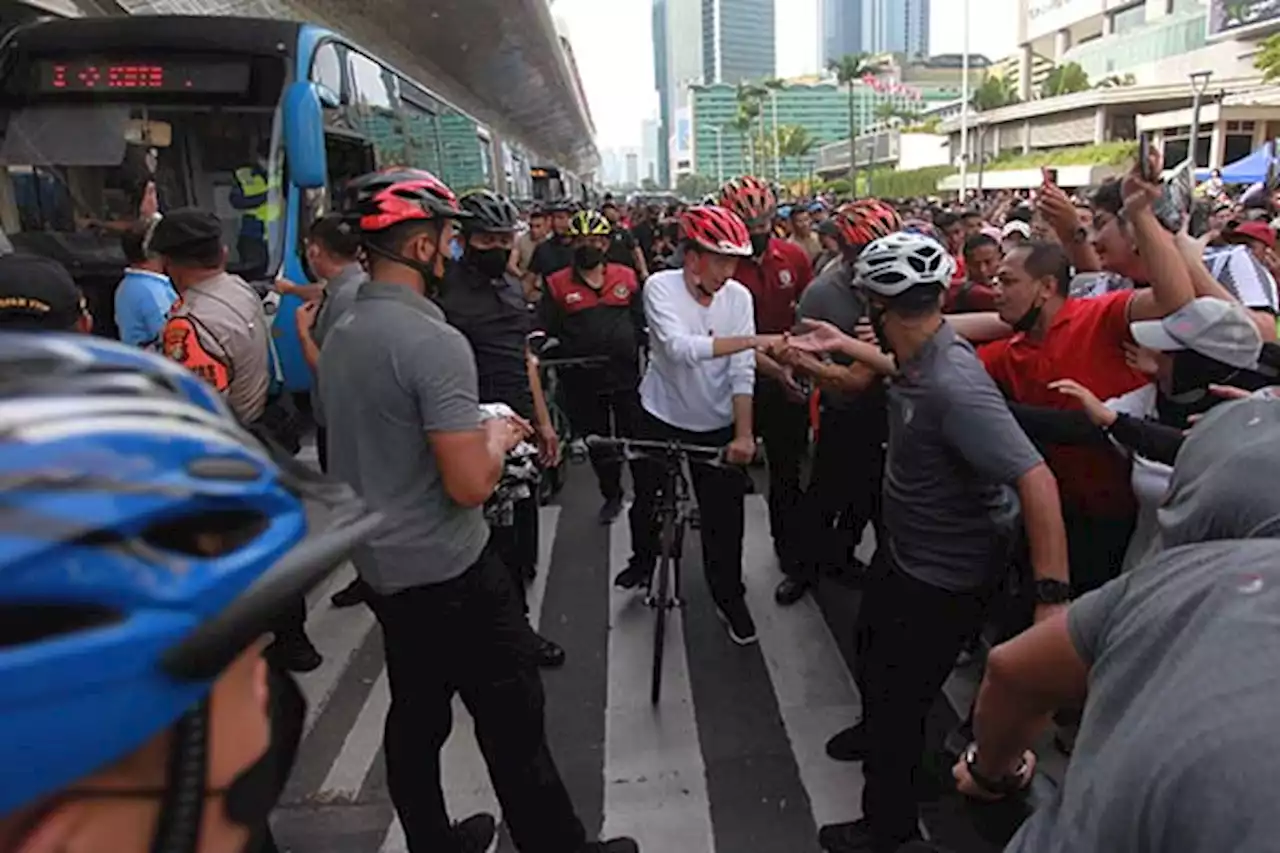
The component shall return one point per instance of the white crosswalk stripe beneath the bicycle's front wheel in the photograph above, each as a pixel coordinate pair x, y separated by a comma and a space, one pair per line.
655, 778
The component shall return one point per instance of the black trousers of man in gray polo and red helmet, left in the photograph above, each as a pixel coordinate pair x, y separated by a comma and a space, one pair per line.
465, 637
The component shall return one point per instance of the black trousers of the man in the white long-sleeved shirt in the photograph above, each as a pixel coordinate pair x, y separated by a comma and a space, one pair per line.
721, 496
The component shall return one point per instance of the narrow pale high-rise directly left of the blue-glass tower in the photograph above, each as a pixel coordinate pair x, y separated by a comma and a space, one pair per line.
678, 60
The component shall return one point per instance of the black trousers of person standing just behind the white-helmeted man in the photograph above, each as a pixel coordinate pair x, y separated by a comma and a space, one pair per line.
844, 492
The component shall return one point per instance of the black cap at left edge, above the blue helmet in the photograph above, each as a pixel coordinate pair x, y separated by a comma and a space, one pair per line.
38, 294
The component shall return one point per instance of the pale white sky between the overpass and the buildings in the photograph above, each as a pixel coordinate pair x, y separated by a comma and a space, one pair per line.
615, 52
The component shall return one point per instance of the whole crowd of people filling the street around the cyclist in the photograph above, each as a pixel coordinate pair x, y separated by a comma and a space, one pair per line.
1057, 414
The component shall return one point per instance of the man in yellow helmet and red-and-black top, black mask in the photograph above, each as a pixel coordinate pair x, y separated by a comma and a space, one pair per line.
595, 308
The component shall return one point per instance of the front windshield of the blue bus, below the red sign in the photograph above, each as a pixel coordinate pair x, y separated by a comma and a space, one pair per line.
79, 176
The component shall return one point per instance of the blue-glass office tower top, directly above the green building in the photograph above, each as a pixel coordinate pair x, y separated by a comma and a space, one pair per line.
738, 40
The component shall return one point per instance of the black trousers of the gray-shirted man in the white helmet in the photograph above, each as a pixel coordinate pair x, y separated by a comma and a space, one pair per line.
908, 637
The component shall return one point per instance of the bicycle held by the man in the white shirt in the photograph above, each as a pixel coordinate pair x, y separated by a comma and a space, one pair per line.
675, 512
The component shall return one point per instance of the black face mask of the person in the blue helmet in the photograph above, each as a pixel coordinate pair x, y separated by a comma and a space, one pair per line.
255, 792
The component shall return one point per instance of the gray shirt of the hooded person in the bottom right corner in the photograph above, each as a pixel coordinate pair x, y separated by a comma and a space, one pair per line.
1180, 746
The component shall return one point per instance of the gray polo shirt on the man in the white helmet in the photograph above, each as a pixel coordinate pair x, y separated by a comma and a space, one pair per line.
954, 453
